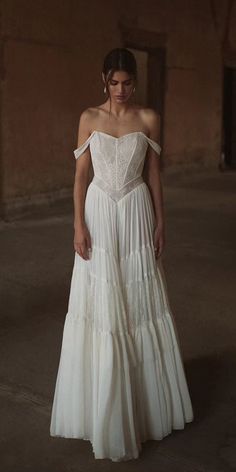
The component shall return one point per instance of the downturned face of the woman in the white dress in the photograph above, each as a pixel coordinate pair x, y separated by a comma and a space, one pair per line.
121, 86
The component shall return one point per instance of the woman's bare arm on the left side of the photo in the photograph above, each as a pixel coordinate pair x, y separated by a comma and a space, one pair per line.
82, 240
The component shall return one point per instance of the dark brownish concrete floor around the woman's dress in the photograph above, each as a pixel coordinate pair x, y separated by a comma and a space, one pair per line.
36, 264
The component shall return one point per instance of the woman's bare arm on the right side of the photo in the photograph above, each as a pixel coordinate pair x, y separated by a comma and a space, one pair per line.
152, 177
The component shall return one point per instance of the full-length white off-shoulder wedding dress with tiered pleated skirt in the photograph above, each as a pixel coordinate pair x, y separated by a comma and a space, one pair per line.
120, 379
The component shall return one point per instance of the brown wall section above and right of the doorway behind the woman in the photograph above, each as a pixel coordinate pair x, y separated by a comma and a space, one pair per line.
200, 40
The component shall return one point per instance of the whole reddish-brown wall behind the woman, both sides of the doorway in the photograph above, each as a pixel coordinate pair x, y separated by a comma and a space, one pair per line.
51, 55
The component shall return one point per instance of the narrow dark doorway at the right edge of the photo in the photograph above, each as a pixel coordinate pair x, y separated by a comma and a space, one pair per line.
229, 118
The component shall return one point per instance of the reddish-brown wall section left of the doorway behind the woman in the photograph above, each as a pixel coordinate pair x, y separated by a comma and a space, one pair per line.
52, 55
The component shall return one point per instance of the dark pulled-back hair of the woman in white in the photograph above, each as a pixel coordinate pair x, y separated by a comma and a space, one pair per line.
119, 59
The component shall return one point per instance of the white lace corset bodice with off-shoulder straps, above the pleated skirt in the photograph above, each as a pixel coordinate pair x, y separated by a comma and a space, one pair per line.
117, 162
